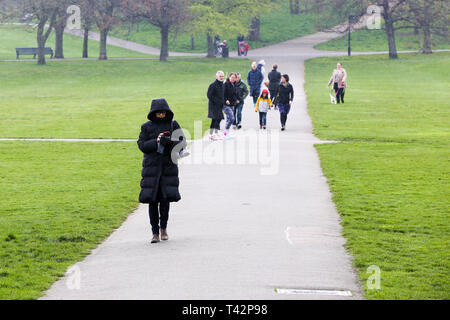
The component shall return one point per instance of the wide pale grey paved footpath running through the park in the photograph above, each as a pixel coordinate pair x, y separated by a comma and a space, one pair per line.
236, 234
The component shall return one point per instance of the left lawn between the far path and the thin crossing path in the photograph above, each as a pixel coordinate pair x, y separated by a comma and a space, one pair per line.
111, 99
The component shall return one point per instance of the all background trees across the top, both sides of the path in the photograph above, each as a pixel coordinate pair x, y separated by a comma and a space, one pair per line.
210, 17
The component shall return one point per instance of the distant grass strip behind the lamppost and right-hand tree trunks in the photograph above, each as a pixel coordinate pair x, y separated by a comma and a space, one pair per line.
376, 40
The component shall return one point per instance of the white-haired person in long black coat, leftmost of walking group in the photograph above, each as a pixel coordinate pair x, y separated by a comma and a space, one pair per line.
215, 105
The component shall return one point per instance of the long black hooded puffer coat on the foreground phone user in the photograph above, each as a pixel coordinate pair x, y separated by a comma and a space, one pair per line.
159, 171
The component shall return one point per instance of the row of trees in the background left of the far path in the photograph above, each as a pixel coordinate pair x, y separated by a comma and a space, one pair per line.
204, 16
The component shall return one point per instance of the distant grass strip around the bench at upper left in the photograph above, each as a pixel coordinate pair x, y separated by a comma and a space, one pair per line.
13, 36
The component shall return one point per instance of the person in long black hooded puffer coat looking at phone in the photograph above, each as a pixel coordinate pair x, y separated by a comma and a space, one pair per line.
159, 184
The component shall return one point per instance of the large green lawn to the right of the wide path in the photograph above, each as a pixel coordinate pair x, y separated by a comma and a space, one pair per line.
390, 176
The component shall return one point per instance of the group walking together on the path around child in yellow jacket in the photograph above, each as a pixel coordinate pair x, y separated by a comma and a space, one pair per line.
226, 98
